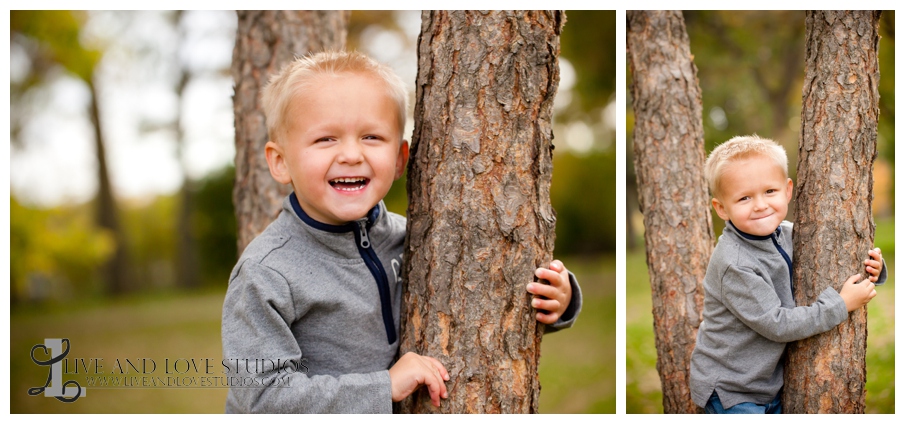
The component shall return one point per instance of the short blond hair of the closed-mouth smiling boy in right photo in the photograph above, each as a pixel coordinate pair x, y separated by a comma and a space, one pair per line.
742, 147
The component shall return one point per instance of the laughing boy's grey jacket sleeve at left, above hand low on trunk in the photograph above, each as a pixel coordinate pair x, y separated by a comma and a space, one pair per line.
258, 312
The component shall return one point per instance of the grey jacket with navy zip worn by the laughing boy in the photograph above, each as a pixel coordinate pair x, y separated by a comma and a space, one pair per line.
310, 318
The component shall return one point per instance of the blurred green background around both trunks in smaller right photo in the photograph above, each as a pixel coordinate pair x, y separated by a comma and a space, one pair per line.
750, 70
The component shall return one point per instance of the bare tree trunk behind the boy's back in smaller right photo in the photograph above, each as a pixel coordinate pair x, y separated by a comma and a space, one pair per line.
668, 140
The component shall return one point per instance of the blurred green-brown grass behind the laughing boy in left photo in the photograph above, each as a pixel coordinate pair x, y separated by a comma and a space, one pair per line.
577, 369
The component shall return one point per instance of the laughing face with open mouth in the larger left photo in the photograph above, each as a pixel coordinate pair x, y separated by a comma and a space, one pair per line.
342, 149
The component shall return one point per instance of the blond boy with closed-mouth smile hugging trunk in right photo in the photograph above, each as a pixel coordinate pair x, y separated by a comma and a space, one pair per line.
749, 312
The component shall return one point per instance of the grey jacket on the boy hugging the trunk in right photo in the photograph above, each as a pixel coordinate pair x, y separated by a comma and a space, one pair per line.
750, 315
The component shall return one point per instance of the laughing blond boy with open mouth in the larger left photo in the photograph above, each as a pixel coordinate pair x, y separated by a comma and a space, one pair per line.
311, 315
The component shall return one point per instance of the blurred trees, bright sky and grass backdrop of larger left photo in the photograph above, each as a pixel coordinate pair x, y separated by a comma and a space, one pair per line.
164, 91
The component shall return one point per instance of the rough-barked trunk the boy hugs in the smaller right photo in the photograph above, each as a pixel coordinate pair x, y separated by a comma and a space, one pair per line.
834, 228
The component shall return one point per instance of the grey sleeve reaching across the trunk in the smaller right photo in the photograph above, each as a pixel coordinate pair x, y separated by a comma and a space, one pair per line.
754, 301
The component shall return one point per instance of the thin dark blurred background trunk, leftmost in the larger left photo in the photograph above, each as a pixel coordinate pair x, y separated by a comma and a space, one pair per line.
116, 270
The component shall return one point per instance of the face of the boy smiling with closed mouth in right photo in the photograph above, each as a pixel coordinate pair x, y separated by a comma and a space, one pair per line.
753, 194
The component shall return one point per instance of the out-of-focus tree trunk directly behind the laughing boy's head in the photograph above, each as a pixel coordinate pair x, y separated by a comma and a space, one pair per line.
265, 41
